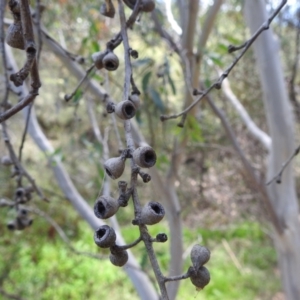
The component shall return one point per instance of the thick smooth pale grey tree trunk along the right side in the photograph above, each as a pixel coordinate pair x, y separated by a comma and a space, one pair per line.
281, 126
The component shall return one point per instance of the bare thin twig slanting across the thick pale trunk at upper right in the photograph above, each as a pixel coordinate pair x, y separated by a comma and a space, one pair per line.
218, 83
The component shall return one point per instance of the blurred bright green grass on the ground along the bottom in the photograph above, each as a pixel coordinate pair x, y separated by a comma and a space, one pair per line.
39, 266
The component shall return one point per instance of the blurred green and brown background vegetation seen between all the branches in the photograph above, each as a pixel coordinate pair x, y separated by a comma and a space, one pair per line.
218, 208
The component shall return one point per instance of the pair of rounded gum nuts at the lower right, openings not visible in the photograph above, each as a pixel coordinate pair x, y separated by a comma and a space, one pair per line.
200, 276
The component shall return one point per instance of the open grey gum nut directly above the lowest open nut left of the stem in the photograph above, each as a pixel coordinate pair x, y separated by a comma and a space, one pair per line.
105, 207
